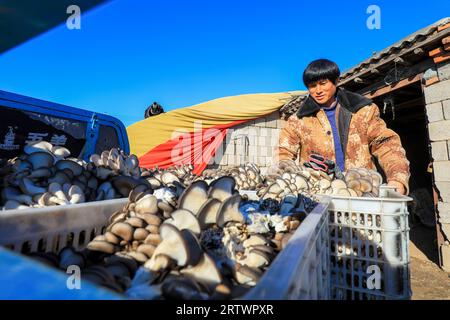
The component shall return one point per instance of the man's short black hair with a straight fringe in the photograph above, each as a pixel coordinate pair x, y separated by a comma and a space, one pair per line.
319, 70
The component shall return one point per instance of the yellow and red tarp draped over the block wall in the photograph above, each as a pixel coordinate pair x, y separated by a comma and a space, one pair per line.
192, 135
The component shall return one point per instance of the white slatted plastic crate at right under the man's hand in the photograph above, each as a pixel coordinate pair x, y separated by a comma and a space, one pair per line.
368, 235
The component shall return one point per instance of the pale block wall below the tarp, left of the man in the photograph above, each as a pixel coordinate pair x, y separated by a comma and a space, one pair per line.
253, 141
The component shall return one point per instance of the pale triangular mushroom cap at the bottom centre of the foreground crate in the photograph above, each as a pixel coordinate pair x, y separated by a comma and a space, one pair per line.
205, 271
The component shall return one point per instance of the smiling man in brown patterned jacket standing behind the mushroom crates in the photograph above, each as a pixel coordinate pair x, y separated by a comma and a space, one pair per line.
342, 126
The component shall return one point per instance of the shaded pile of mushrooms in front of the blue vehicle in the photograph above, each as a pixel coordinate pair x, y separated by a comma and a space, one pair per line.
45, 175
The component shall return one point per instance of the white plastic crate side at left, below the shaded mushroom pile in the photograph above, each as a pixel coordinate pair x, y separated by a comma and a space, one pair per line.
51, 229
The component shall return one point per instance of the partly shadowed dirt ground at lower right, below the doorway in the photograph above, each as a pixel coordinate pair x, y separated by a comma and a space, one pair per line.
428, 281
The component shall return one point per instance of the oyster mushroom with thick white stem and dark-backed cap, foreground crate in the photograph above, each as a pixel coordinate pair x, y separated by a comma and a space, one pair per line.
181, 246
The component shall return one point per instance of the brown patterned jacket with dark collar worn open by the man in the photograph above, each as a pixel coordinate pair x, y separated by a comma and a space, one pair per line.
362, 132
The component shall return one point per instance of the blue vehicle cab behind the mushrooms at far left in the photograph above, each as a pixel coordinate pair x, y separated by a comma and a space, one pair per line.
25, 120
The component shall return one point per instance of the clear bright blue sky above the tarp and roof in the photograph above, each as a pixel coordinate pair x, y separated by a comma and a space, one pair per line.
179, 53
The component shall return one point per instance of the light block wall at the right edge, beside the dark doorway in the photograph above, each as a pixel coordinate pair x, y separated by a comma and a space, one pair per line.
437, 98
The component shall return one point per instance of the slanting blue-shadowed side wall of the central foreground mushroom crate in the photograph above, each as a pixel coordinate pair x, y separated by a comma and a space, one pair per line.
301, 271
